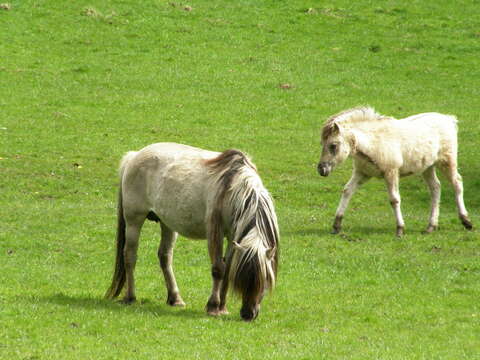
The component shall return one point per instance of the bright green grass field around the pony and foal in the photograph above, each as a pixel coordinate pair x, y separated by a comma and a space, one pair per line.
83, 82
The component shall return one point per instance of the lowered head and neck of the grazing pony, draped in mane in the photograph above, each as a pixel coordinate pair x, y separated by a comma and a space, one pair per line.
254, 257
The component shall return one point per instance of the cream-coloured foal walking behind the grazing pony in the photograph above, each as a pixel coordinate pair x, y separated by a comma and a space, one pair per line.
384, 147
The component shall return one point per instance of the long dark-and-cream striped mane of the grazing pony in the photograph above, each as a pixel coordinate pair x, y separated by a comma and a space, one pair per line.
254, 227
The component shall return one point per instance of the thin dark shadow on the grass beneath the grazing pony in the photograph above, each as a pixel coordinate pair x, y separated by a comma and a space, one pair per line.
142, 306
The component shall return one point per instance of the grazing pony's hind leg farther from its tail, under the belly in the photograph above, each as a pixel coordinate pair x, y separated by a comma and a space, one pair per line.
165, 257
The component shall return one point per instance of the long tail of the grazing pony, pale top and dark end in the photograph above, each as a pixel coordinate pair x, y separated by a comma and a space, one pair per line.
119, 275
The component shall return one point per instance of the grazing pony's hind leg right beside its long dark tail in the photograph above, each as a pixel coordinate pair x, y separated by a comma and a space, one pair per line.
132, 234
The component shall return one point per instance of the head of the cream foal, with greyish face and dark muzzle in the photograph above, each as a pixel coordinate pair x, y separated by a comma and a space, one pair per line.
335, 148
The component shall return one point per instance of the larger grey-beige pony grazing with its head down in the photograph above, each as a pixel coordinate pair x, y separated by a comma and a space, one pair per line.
199, 194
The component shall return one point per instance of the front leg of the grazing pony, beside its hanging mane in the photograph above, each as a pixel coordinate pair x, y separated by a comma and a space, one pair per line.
215, 250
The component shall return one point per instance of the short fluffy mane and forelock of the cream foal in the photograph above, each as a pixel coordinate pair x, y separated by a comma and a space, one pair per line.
350, 116
